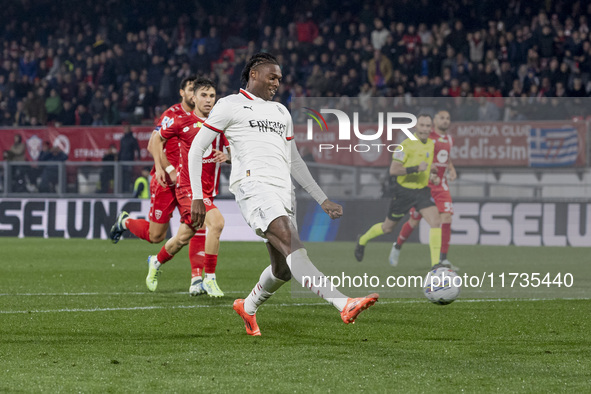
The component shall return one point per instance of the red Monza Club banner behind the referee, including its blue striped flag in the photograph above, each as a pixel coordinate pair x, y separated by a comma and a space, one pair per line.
475, 144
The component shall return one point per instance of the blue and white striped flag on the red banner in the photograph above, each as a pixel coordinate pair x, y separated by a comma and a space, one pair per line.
553, 147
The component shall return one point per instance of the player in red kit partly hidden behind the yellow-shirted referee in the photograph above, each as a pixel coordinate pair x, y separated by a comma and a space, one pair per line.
440, 193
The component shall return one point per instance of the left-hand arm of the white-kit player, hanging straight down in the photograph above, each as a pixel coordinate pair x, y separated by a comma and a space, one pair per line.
200, 143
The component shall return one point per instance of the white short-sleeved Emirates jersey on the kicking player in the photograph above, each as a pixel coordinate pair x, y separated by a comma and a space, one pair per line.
259, 133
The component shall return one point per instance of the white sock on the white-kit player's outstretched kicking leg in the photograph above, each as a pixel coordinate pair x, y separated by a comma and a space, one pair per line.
302, 269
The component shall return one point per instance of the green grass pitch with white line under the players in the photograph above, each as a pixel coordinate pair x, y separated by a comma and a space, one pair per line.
75, 316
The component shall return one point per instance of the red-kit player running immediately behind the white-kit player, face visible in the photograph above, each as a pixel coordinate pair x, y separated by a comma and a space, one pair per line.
185, 127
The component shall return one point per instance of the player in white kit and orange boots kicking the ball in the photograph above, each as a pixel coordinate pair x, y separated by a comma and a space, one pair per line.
260, 133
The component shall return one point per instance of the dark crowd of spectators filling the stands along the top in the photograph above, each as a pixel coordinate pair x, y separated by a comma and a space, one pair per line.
105, 63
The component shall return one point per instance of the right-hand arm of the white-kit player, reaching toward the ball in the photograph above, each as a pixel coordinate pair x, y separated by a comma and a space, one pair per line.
301, 174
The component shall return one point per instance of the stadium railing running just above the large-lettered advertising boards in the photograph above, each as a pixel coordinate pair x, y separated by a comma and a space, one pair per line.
116, 179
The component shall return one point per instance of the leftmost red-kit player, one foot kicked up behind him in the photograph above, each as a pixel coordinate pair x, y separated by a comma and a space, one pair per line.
163, 200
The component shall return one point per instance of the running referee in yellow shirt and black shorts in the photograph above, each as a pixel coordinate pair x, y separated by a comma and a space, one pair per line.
412, 168
